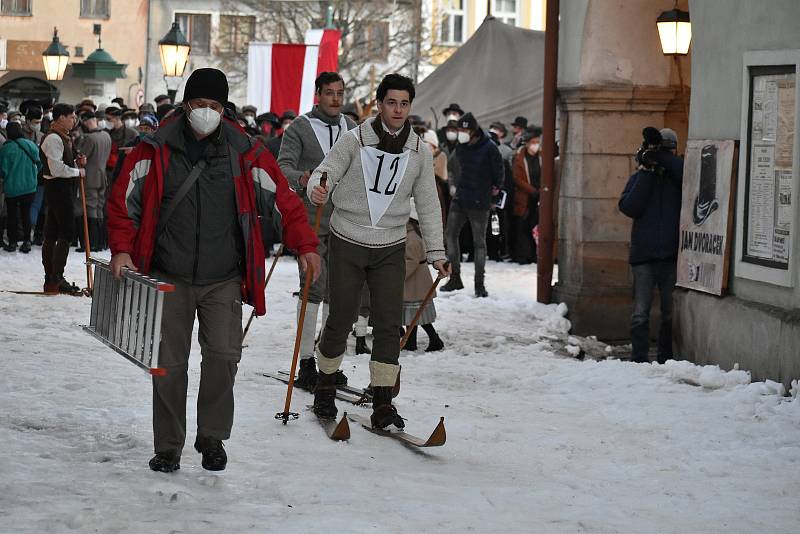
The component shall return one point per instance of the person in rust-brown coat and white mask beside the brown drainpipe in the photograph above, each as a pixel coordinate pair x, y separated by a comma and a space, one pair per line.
527, 179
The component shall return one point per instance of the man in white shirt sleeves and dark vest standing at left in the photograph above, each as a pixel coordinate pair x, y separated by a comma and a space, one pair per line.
60, 172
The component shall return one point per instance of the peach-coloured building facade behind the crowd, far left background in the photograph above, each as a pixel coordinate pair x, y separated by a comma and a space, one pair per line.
26, 30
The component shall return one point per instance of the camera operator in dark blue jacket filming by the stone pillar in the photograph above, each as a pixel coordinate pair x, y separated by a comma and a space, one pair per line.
652, 198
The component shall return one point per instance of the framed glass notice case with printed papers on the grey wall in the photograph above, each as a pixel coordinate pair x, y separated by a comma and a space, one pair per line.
770, 178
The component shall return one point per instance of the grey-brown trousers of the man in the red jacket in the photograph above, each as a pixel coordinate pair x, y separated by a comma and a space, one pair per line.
219, 310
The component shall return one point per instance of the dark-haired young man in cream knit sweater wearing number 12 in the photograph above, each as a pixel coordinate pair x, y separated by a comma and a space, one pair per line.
373, 171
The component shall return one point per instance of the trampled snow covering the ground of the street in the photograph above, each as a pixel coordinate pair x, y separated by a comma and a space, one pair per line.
537, 443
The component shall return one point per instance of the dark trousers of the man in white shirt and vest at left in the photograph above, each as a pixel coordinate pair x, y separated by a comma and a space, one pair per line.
59, 227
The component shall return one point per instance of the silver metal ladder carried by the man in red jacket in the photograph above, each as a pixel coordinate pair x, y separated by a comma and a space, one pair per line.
126, 314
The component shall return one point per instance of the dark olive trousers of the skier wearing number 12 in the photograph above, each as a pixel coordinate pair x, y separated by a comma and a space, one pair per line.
384, 271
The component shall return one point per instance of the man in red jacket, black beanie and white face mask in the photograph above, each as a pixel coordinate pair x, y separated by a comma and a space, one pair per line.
185, 208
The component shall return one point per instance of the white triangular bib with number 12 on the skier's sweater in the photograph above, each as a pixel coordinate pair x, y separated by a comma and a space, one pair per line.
383, 174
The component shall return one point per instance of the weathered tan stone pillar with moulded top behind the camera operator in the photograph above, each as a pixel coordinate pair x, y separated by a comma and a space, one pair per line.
603, 130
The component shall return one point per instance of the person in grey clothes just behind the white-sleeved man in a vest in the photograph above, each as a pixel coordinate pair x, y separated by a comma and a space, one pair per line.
95, 144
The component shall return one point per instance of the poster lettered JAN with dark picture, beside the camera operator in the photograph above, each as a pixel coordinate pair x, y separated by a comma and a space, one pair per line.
706, 215
